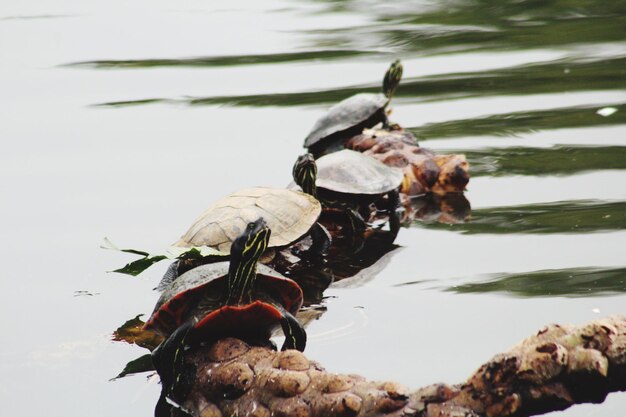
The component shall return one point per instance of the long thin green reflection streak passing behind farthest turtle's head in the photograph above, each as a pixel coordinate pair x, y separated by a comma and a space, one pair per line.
548, 77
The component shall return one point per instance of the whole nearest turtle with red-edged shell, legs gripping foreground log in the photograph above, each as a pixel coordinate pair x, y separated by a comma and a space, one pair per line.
239, 298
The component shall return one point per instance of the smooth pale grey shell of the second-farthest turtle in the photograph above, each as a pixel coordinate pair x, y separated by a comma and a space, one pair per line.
351, 172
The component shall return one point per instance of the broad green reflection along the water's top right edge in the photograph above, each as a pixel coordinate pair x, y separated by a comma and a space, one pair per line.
458, 26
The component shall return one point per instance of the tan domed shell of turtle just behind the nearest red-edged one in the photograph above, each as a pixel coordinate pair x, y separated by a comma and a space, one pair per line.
290, 214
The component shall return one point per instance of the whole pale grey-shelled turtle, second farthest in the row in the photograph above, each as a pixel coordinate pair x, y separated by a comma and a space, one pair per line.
350, 181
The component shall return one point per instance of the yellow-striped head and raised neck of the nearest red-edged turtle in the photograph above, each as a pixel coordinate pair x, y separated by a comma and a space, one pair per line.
244, 255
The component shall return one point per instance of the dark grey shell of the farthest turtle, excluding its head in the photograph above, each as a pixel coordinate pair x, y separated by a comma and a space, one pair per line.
354, 113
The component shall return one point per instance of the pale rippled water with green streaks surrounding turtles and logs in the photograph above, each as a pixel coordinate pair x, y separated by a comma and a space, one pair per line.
127, 120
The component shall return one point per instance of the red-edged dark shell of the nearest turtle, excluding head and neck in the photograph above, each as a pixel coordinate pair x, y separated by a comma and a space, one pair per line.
199, 295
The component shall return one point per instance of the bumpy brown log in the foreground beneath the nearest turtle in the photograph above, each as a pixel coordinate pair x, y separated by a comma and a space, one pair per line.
552, 370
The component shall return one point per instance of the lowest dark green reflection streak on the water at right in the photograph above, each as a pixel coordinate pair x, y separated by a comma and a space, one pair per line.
576, 282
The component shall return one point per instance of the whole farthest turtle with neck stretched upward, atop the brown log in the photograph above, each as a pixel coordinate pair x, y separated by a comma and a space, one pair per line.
351, 115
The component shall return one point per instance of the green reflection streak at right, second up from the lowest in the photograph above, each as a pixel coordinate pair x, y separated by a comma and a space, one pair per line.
560, 217
